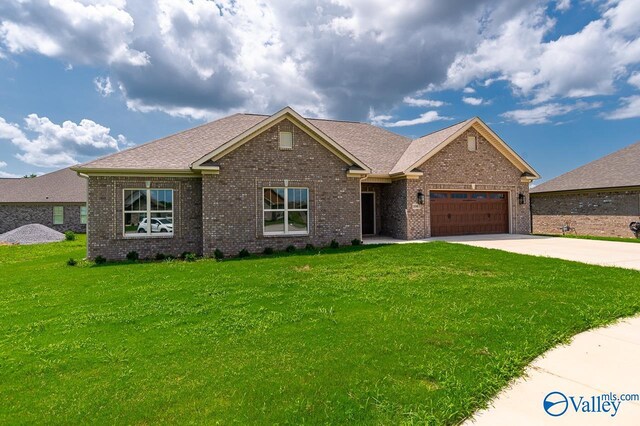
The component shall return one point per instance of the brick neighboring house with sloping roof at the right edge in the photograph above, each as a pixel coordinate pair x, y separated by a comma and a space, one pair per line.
600, 198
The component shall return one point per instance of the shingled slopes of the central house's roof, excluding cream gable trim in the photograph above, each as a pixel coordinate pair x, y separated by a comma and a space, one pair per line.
382, 151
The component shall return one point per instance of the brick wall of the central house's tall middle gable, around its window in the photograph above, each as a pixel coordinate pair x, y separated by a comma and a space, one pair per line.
233, 200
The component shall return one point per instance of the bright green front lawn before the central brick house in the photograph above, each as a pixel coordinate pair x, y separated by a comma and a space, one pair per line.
416, 333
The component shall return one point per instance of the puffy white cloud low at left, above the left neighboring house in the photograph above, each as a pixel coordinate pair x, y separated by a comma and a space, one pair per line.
62, 145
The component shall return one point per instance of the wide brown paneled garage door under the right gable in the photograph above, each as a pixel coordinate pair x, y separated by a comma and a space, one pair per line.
462, 213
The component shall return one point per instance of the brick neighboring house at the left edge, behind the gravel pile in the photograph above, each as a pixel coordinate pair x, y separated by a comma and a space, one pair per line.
57, 200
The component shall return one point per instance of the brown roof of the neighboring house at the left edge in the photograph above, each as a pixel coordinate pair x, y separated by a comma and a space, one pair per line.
62, 186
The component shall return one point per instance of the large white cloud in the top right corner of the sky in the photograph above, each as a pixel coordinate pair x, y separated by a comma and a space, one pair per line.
586, 63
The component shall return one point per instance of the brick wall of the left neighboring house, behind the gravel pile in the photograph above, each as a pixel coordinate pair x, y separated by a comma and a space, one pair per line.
13, 216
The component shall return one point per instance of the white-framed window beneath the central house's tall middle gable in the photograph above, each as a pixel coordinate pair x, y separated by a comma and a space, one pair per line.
286, 211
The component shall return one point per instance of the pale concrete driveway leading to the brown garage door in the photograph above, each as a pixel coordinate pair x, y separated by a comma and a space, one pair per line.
605, 253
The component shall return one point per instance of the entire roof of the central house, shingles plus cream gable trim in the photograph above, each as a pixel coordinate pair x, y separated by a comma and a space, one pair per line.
364, 147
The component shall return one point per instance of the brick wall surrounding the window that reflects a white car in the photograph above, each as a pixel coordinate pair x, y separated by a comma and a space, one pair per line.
105, 234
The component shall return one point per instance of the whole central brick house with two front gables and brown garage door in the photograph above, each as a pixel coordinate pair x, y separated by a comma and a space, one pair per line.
253, 181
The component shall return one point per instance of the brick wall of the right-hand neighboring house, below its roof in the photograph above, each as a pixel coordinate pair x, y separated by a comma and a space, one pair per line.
590, 213
